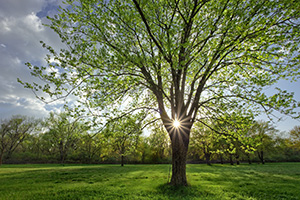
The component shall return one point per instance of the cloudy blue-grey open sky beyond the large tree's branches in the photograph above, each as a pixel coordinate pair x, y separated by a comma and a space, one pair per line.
21, 30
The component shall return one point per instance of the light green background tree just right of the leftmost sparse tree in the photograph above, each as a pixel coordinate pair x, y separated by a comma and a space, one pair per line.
63, 133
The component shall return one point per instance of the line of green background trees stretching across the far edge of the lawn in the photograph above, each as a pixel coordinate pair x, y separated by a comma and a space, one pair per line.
62, 139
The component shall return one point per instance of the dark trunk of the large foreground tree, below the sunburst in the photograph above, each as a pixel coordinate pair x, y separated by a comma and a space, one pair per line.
180, 143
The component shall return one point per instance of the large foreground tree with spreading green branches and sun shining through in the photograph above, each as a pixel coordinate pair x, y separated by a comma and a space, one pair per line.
182, 58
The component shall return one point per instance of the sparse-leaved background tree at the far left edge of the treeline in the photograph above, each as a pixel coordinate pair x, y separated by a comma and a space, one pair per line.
13, 132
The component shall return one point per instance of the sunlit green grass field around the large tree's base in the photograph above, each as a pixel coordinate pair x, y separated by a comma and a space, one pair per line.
269, 181
